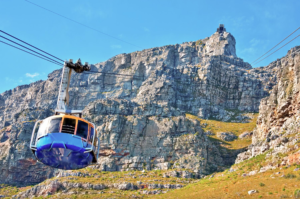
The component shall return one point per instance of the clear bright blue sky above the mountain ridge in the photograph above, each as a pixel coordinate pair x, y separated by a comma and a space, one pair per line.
256, 25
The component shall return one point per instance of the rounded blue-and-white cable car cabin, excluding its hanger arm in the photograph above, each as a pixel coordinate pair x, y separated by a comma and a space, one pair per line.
65, 142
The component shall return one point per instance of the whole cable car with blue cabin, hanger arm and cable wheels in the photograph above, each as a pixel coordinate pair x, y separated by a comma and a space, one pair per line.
64, 140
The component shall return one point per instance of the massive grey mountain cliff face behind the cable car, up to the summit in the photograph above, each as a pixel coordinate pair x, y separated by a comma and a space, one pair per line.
145, 113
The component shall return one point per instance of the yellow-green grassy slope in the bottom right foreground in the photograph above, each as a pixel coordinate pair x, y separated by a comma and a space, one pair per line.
283, 182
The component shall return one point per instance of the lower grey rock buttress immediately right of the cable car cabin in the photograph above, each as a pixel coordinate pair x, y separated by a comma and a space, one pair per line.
140, 140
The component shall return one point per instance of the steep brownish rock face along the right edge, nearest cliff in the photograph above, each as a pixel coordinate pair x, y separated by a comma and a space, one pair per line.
278, 124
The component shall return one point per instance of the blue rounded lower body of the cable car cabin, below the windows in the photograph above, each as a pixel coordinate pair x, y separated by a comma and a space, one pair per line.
63, 151
